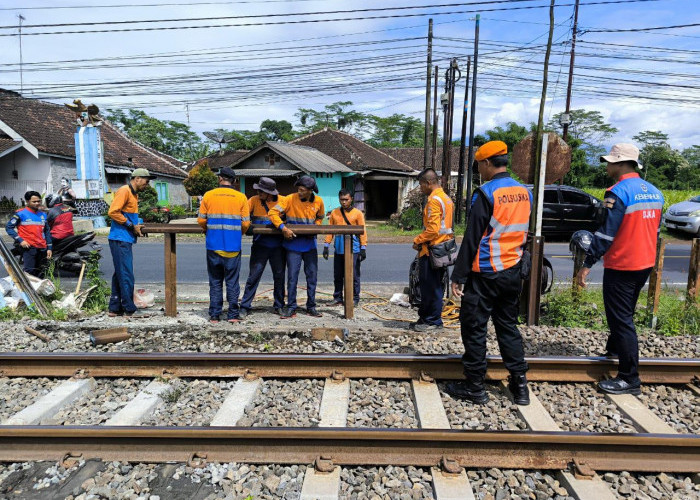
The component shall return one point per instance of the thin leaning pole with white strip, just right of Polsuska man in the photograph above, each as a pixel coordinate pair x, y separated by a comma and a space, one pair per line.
540, 156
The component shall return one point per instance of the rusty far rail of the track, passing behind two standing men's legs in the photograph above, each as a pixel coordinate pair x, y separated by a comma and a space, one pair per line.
382, 366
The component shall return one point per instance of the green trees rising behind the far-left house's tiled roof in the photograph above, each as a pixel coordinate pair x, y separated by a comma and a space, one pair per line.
169, 137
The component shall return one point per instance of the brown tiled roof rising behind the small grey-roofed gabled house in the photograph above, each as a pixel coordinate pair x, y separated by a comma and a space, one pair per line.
351, 151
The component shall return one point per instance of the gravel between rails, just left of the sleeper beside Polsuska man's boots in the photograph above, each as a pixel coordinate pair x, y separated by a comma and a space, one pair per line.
381, 404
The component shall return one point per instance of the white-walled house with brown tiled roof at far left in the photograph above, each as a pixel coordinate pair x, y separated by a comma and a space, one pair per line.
37, 149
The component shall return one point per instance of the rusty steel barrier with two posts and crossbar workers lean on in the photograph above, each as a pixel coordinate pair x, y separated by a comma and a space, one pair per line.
170, 231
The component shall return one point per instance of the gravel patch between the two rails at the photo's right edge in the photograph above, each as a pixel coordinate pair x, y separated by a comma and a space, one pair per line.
678, 407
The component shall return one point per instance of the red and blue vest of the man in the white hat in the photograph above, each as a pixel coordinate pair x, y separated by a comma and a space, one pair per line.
634, 245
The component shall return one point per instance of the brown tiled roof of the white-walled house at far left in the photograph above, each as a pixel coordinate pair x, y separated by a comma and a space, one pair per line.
50, 128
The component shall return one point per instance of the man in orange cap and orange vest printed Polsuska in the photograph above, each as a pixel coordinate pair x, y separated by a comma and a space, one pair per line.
487, 276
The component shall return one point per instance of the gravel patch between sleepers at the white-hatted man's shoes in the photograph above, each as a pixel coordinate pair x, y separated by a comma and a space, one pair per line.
579, 407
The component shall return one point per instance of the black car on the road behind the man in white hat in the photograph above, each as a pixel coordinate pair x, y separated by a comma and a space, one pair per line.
568, 209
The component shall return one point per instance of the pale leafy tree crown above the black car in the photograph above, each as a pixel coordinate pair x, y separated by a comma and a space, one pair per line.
590, 128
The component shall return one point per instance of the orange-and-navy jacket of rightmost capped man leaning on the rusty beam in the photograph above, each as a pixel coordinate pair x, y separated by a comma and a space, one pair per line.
297, 211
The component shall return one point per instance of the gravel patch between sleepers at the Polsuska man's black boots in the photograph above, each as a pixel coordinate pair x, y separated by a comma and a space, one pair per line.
499, 414
